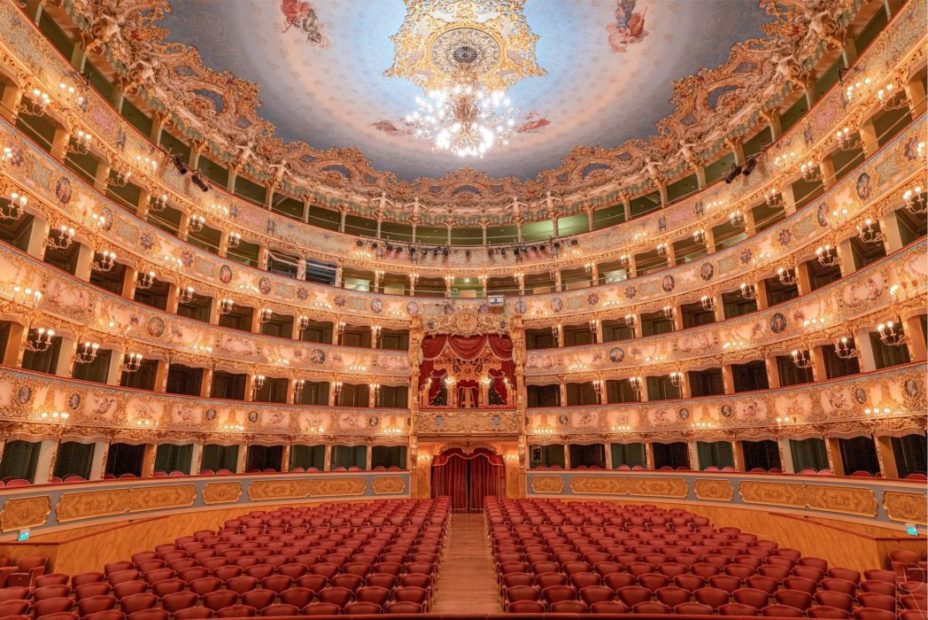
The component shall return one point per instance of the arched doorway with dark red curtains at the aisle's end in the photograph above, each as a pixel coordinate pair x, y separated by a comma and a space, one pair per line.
468, 478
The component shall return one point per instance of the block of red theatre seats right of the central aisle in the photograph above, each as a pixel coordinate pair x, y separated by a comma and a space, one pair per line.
573, 557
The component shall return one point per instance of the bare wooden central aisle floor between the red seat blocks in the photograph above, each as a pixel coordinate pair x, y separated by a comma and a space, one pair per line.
467, 583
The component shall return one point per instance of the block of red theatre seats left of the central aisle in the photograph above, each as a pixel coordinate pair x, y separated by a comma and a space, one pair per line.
334, 558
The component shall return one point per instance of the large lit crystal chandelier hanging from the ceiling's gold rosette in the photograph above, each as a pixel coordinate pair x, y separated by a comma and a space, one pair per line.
464, 118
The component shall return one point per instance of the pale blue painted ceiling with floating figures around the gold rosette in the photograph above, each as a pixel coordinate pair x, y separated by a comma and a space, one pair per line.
321, 70
